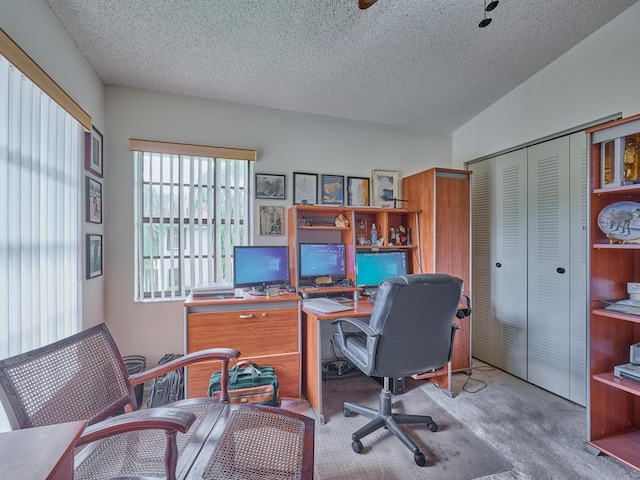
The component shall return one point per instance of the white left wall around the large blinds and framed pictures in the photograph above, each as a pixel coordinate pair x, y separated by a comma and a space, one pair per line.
34, 27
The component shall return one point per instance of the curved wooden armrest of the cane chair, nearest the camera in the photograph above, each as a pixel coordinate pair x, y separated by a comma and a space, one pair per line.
152, 418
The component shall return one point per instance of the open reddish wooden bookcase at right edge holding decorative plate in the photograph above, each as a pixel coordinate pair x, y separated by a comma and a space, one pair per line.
613, 403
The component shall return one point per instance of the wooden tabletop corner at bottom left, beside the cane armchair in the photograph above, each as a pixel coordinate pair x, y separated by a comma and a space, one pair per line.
40, 452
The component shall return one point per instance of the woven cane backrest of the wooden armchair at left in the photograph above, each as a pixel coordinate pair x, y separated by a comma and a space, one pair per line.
81, 377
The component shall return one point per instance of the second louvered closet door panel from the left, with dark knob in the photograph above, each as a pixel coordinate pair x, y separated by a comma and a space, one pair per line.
509, 263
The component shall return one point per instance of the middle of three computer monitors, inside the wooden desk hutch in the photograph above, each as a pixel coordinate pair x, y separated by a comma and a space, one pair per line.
322, 260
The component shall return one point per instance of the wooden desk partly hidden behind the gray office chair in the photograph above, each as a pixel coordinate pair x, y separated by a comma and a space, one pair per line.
312, 353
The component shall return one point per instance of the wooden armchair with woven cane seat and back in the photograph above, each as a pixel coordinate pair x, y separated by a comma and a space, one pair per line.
83, 377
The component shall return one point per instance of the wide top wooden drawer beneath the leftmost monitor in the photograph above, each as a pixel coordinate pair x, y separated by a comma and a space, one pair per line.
252, 332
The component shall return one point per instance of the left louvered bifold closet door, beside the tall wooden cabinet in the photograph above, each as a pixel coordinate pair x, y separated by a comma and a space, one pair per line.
499, 260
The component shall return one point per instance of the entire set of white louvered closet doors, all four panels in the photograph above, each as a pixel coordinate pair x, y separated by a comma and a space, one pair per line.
529, 258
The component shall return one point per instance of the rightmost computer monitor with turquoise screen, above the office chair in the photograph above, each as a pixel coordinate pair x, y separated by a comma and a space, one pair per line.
374, 267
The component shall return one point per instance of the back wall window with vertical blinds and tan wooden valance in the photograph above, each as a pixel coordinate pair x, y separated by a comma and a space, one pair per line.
191, 211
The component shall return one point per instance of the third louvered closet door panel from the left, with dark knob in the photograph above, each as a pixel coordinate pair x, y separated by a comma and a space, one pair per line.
549, 272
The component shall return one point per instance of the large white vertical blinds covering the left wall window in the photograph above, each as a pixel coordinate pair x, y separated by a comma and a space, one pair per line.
40, 159
